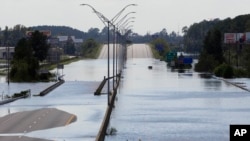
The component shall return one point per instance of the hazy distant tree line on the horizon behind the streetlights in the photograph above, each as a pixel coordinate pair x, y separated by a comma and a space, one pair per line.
11, 36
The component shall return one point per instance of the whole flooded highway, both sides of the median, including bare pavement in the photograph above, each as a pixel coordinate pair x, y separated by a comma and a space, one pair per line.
152, 104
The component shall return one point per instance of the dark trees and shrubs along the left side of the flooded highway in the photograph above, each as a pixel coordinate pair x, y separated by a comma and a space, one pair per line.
30, 62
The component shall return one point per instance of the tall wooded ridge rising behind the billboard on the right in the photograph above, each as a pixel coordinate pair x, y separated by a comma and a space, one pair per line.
195, 34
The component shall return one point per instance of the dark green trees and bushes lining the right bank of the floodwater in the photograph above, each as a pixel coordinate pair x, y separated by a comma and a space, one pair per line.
223, 60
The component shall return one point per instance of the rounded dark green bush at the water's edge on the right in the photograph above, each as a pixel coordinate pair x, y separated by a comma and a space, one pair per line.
224, 70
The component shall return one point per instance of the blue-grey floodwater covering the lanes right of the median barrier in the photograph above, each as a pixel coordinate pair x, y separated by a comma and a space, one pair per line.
162, 104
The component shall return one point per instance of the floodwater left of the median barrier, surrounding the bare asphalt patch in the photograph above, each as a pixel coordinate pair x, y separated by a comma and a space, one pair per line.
75, 96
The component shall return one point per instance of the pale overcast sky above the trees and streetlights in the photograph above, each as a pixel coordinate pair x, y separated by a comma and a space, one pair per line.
151, 15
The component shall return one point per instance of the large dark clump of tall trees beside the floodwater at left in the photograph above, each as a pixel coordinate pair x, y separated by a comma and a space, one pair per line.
28, 52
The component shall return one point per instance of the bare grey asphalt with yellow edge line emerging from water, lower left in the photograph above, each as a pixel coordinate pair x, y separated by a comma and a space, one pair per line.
23, 122
